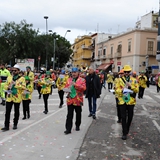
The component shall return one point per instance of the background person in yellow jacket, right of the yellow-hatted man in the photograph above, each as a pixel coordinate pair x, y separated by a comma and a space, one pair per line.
142, 80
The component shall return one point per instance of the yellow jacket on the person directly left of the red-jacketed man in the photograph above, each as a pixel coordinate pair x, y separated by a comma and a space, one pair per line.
61, 82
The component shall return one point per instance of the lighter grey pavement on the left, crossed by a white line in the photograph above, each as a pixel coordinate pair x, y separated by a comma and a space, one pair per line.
42, 136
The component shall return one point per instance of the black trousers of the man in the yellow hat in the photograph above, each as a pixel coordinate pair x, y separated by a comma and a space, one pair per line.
127, 112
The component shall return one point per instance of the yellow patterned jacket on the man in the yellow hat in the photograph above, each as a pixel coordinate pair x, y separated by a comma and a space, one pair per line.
119, 91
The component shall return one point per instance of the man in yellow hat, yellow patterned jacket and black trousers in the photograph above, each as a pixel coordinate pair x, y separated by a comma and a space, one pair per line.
126, 90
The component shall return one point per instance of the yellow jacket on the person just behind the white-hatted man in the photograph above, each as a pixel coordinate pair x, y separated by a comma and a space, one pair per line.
29, 88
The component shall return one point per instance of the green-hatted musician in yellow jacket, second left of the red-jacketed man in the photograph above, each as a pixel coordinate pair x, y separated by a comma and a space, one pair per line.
46, 83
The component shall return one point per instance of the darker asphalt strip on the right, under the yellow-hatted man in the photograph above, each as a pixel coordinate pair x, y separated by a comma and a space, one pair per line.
103, 138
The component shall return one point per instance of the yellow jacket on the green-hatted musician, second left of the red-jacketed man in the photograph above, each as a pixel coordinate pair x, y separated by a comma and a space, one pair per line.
46, 84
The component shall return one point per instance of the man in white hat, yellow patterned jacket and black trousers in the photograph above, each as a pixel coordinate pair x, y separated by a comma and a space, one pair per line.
14, 86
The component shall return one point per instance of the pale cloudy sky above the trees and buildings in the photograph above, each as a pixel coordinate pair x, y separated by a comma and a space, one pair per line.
79, 16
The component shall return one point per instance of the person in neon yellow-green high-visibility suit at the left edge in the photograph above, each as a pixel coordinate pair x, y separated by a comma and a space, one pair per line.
4, 73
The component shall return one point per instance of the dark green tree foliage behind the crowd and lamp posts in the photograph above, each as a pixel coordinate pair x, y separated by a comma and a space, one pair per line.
21, 41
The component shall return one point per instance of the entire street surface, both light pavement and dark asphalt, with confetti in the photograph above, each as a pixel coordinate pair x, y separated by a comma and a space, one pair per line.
42, 136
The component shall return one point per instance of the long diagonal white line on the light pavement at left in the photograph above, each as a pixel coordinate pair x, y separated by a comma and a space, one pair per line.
24, 129
